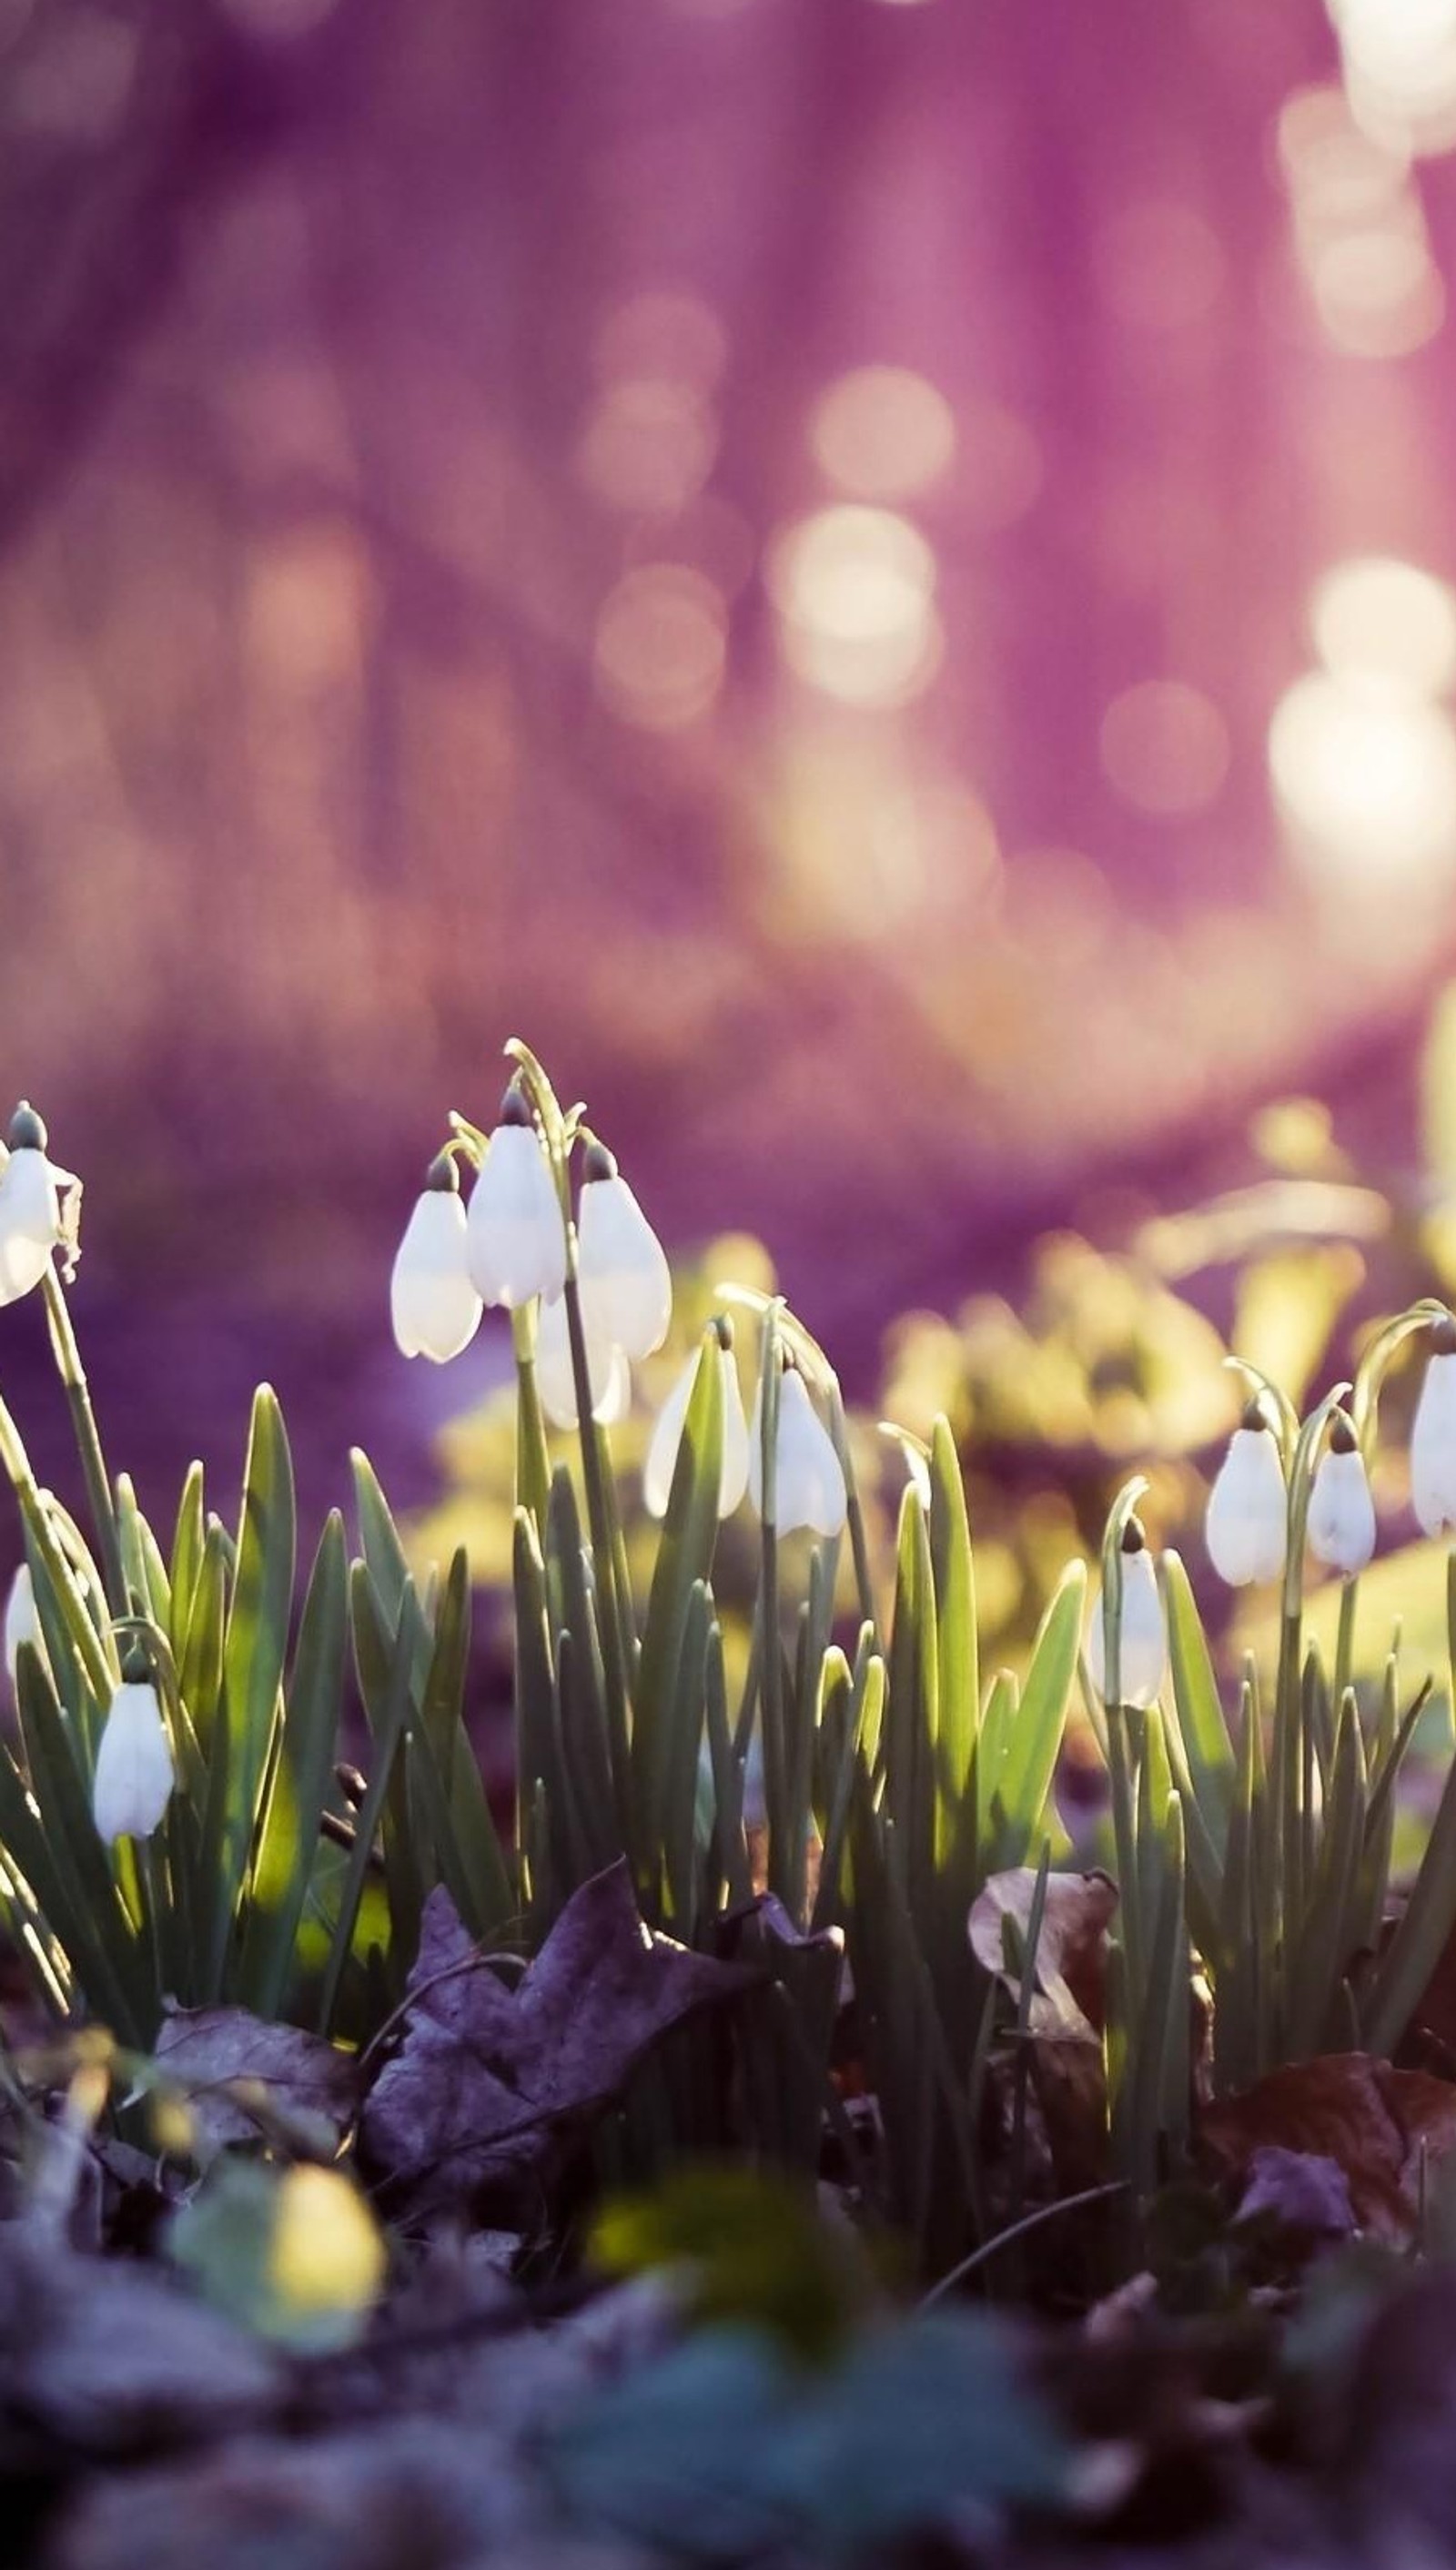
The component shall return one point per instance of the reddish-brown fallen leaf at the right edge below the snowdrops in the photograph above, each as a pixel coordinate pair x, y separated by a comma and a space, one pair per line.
1378, 2127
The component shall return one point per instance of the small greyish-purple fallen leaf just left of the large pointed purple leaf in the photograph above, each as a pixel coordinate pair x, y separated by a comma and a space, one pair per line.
245, 2078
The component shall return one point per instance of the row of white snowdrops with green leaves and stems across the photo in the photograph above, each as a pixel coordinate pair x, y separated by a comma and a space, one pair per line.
836, 1803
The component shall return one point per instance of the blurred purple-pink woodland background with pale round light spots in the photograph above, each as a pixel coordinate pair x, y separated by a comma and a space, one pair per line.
867, 574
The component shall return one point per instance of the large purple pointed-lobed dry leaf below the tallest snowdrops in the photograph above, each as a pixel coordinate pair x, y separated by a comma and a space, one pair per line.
492, 2080
